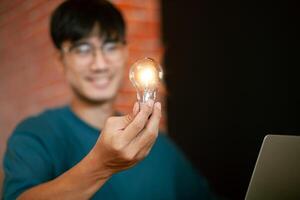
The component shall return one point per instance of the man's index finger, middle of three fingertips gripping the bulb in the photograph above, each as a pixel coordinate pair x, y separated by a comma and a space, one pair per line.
139, 122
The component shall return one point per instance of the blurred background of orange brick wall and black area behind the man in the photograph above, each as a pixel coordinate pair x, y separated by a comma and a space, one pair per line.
231, 75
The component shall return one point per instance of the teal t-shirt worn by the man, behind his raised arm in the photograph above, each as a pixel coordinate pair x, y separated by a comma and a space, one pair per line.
44, 146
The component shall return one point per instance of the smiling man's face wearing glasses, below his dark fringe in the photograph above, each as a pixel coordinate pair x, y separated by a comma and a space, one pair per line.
94, 68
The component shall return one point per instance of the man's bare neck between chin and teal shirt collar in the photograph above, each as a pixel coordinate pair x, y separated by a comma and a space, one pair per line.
93, 114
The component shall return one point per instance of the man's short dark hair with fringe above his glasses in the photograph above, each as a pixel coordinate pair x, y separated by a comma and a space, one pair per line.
75, 19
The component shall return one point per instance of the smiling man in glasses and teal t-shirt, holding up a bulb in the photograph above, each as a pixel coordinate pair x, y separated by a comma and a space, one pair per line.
79, 151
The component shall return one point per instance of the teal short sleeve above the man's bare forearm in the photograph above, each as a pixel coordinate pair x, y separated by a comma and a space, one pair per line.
26, 163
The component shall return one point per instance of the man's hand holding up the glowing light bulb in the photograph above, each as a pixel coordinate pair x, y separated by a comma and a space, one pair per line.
135, 141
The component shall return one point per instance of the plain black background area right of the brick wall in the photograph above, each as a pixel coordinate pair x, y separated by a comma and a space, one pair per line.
232, 71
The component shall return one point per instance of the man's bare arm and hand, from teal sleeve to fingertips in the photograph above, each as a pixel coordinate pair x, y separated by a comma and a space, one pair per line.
123, 142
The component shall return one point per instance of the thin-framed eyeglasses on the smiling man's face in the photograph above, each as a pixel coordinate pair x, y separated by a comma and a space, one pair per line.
85, 52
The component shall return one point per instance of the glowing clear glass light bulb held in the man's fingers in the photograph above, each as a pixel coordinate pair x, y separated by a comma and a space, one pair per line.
145, 75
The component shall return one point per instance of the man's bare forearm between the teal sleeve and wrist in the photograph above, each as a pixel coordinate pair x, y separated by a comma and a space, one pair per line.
80, 182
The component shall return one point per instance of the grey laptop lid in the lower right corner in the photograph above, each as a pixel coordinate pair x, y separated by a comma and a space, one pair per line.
276, 175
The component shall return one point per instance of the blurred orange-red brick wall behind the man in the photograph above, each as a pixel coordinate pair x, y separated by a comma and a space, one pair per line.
30, 75
